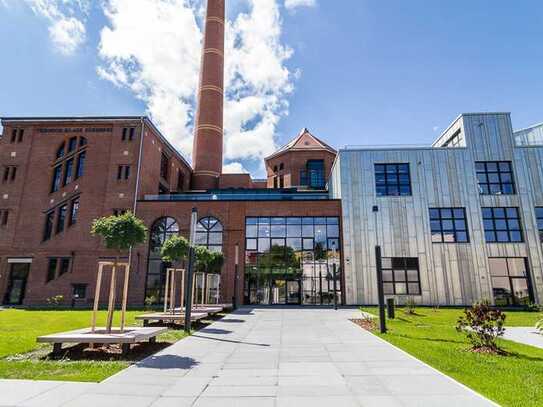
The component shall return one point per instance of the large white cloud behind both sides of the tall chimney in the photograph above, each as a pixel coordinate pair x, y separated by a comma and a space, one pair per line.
153, 48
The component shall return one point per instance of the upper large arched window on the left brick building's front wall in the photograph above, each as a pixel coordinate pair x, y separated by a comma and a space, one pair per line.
68, 165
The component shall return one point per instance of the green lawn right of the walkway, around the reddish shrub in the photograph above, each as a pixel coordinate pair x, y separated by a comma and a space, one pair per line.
430, 335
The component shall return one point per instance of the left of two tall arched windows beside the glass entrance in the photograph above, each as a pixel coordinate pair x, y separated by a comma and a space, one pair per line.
161, 230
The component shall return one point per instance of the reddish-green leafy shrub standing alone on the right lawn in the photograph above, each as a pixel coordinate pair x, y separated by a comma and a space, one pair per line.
482, 326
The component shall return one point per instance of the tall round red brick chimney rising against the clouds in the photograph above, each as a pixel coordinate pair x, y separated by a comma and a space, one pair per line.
208, 133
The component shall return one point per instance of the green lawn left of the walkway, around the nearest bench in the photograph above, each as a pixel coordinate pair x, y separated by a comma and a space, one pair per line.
22, 358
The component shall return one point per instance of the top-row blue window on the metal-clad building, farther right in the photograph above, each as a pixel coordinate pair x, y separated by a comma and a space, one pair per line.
495, 177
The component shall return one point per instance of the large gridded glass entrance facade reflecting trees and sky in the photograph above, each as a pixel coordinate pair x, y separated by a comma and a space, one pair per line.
292, 260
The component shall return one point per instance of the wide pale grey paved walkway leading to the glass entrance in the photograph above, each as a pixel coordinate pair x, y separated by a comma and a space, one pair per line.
263, 357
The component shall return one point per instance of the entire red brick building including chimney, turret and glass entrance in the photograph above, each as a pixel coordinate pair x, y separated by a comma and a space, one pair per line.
59, 174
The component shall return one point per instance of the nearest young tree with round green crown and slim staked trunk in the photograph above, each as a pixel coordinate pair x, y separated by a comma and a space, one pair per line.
119, 233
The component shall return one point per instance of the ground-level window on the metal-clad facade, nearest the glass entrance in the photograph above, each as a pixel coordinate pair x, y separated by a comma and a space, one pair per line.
401, 276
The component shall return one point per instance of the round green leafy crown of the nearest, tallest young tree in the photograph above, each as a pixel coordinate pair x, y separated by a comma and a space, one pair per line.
120, 232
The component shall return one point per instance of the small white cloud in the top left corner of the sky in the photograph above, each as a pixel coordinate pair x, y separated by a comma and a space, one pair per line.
66, 21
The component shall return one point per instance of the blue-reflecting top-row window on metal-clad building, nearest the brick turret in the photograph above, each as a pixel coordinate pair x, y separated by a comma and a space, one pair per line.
392, 180
